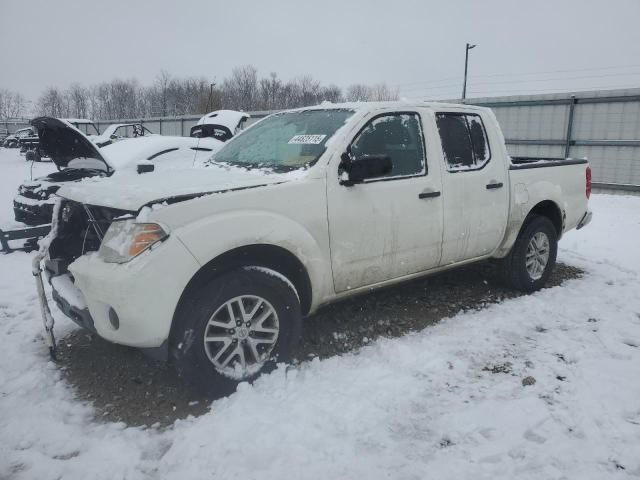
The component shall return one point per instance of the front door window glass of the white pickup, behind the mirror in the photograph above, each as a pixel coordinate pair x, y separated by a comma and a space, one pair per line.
398, 135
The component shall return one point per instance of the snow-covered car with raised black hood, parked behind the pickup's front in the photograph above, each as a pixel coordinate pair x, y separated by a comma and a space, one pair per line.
77, 157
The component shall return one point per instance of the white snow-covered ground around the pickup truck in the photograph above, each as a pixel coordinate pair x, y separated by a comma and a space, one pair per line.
447, 402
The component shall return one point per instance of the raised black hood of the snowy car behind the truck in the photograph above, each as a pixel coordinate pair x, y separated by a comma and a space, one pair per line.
64, 143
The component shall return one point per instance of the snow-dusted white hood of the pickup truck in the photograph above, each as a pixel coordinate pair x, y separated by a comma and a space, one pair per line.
133, 191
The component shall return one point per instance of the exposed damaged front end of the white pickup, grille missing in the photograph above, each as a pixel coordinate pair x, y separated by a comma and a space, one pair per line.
77, 230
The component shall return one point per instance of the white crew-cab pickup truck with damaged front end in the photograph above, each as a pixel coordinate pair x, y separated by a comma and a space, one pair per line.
216, 267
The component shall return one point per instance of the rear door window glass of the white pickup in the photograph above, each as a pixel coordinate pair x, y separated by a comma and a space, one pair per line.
464, 141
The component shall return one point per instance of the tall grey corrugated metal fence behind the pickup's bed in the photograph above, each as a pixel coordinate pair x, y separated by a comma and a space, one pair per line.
605, 128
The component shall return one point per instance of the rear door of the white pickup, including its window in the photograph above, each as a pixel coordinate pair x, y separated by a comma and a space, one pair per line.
475, 186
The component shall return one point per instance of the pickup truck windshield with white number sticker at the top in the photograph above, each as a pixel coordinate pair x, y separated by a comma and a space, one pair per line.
284, 141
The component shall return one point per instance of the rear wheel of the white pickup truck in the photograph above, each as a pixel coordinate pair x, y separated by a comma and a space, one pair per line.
513, 268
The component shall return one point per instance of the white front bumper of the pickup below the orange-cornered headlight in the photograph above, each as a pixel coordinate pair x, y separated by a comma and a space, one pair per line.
143, 293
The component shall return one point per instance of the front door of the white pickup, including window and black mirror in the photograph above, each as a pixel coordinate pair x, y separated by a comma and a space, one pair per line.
390, 226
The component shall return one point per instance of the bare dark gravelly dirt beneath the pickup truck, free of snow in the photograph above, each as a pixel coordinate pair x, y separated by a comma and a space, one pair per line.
124, 385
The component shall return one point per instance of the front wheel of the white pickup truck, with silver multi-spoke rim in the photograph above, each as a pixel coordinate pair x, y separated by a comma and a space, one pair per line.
194, 358
